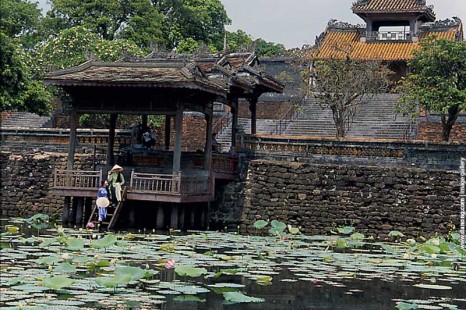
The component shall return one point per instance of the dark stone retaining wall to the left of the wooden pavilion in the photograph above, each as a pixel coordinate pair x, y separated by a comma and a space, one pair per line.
27, 180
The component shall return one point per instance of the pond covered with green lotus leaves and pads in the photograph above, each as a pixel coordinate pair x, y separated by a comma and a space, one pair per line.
47, 266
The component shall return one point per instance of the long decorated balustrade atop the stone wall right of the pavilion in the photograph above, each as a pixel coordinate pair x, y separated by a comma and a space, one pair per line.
369, 152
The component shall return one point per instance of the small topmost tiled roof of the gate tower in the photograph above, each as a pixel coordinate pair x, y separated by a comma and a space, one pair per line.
390, 6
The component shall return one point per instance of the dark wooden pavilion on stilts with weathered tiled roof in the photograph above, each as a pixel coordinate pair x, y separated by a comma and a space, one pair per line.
166, 86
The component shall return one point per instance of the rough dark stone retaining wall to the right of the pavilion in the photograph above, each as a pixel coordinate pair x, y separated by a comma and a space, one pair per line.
375, 200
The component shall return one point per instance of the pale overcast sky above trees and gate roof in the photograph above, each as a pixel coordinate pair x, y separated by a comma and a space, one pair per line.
294, 23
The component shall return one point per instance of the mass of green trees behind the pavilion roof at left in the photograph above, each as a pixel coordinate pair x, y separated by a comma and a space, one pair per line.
74, 31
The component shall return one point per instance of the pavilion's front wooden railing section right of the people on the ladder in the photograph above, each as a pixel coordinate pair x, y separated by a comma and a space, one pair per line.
155, 183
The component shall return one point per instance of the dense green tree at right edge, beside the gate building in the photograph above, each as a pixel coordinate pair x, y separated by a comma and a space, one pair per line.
437, 81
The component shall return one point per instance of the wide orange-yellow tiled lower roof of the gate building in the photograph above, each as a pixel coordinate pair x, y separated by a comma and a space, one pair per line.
337, 44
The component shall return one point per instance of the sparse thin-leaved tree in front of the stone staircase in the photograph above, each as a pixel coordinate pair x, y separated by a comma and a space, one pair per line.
342, 84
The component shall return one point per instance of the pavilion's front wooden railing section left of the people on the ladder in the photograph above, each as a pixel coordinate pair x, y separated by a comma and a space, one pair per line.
77, 179
